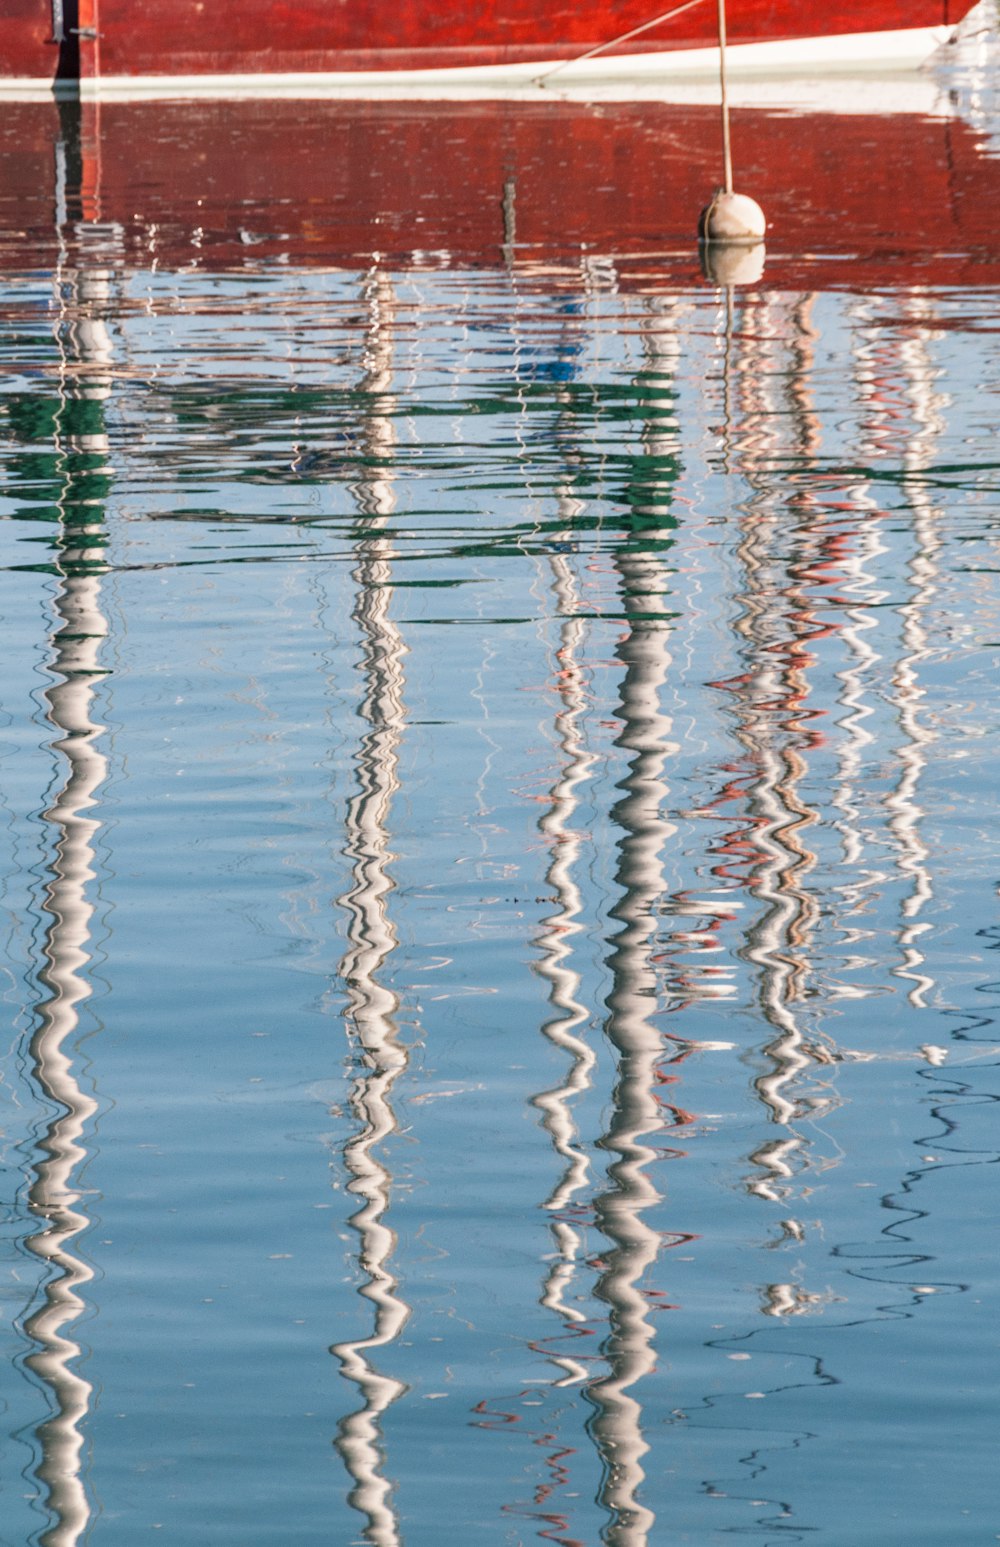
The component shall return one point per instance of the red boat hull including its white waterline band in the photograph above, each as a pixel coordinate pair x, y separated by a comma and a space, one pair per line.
117, 46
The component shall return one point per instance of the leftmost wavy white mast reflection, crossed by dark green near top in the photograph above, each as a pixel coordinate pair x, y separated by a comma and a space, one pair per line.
81, 448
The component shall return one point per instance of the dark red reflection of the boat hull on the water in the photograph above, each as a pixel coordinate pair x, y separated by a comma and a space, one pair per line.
233, 185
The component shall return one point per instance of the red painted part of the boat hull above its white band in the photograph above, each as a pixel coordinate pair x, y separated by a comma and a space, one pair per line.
197, 38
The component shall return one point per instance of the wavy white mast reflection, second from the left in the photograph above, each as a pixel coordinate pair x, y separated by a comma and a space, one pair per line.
372, 938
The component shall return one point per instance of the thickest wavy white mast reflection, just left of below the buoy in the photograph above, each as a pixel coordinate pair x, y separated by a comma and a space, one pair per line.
645, 737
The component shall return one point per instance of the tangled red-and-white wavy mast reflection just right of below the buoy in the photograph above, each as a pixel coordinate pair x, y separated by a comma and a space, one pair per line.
778, 626
